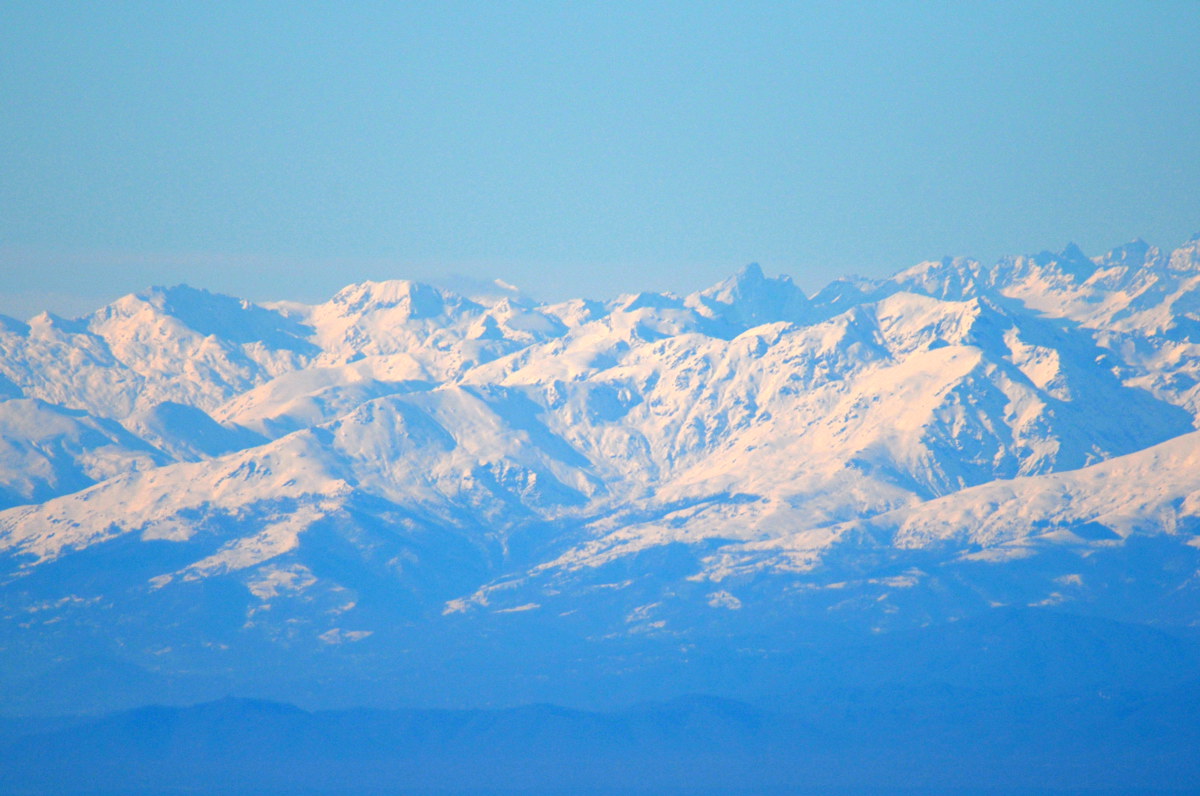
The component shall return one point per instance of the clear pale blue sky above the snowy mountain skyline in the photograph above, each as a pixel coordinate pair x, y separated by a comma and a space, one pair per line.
281, 151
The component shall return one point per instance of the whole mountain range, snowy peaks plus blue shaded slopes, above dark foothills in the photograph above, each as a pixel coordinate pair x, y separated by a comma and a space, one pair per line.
202, 495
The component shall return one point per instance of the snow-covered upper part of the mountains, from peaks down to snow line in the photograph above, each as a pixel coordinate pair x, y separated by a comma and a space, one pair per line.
953, 408
